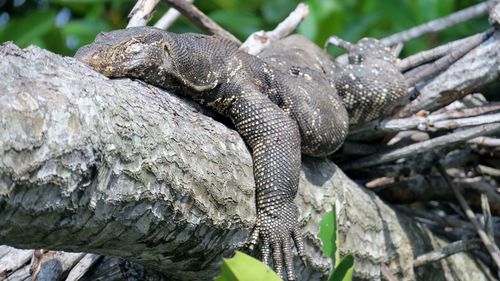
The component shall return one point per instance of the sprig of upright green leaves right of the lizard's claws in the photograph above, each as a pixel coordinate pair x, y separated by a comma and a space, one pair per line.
342, 268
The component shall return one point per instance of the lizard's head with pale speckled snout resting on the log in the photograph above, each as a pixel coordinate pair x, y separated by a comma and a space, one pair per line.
131, 52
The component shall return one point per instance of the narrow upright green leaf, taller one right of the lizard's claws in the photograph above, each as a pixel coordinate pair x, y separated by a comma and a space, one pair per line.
328, 235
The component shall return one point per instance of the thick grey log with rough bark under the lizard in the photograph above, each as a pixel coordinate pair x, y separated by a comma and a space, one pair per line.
120, 168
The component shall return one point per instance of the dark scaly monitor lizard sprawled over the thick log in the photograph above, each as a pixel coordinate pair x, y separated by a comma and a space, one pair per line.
283, 104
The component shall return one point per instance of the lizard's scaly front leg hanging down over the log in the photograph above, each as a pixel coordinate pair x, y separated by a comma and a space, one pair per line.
275, 141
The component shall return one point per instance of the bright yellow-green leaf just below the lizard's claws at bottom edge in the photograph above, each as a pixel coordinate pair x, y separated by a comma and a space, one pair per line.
243, 267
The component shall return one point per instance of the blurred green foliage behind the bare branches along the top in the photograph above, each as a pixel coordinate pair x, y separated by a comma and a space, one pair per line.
62, 26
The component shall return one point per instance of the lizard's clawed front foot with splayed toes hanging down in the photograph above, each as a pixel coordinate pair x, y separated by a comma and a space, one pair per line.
275, 228
